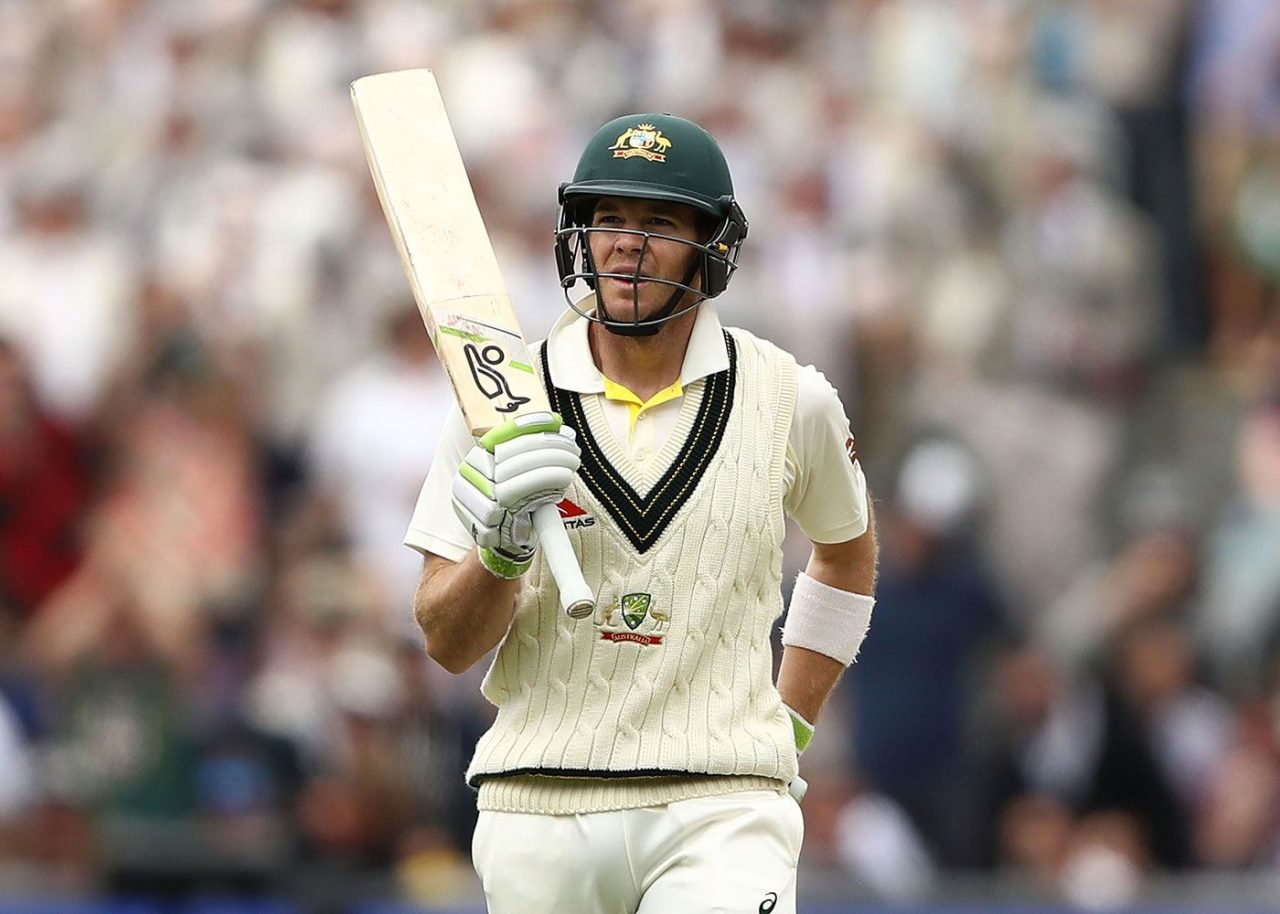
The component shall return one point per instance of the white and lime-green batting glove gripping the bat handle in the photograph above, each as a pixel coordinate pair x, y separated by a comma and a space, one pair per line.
518, 468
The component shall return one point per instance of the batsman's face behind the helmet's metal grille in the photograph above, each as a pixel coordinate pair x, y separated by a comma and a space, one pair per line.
639, 261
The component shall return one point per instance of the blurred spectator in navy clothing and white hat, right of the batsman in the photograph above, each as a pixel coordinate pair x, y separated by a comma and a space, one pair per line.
936, 609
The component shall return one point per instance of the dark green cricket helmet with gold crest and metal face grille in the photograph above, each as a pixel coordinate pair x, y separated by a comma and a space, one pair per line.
652, 157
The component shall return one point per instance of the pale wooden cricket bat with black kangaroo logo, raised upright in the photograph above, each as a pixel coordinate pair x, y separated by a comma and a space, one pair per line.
451, 267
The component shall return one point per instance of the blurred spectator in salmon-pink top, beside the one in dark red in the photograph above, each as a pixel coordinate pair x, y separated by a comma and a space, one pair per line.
184, 487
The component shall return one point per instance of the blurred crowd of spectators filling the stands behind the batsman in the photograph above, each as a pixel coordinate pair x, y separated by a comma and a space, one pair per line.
1035, 244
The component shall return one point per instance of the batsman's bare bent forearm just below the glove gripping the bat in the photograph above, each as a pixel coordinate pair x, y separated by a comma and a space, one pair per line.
463, 610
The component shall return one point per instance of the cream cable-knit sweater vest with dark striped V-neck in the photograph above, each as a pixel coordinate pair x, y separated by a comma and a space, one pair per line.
674, 674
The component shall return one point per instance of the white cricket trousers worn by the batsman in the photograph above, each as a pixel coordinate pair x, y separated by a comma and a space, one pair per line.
735, 853
